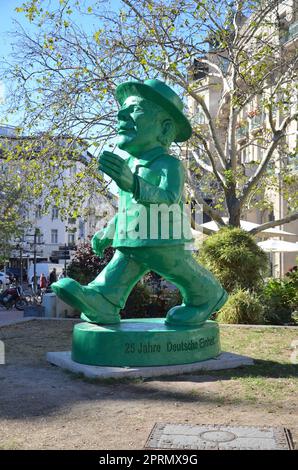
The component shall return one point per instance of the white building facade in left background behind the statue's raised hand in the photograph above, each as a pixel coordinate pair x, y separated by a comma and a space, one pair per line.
56, 237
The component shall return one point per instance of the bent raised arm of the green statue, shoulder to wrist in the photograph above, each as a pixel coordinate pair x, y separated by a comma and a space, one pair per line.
170, 189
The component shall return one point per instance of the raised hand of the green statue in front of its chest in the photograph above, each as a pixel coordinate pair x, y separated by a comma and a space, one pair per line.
118, 170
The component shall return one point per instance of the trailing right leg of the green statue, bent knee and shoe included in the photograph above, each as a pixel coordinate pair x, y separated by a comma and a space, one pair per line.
202, 293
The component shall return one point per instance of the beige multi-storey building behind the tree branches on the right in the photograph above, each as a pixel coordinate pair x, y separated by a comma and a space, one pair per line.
253, 122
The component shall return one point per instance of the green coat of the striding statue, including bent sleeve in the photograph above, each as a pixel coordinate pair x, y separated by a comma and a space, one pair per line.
141, 221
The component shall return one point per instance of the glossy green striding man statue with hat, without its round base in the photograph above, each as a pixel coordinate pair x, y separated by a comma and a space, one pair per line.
149, 120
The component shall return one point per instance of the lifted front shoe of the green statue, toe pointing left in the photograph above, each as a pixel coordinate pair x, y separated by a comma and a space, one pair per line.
95, 307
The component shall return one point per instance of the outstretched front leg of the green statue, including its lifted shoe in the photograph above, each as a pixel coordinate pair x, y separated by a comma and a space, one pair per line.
102, 299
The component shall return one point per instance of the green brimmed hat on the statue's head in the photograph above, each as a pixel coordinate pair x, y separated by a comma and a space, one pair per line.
161, 94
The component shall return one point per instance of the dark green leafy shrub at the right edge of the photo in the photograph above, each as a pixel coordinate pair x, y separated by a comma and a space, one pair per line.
281, 299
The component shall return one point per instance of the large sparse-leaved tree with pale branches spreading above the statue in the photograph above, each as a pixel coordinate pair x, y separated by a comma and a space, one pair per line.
67, 73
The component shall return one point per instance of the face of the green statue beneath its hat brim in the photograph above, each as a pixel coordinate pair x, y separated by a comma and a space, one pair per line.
139, 125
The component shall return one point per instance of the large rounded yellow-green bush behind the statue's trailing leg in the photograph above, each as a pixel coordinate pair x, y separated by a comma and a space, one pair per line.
233, 256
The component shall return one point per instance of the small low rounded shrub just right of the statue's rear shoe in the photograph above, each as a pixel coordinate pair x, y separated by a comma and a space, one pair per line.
242, 307
